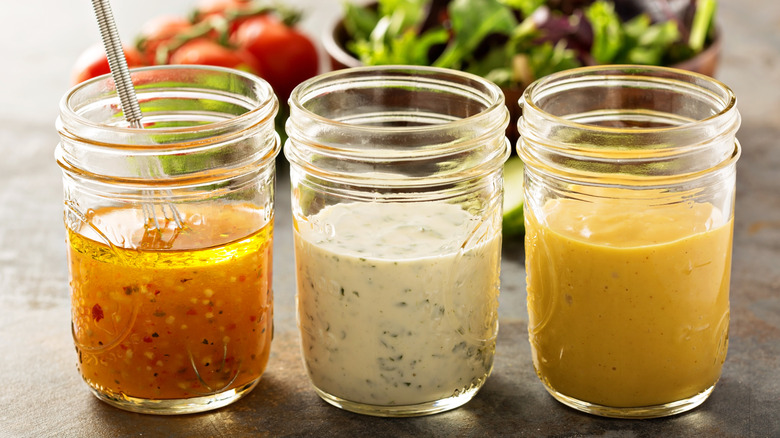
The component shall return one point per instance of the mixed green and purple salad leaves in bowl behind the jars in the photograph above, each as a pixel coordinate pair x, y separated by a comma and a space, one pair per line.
513, 42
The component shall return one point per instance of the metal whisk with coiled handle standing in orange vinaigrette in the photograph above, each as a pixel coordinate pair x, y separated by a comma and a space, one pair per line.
129, 102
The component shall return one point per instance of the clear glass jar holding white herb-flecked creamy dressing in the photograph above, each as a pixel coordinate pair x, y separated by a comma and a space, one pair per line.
396, 179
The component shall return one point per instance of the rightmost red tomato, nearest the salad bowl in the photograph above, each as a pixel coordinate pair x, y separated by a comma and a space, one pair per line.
286, 56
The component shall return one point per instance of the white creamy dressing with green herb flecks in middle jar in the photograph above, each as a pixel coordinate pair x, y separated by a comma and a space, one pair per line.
392, 309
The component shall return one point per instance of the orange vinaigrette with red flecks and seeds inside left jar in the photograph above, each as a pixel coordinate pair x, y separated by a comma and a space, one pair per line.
188, 321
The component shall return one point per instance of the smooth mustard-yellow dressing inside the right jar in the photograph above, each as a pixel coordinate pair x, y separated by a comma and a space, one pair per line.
628, 307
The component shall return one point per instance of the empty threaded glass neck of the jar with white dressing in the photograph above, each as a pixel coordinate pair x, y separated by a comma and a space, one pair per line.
397, 125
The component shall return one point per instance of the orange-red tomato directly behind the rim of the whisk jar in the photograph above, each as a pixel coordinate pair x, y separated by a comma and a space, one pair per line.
208, 52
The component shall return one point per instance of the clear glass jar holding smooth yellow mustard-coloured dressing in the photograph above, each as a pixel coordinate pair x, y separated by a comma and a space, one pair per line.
629, 197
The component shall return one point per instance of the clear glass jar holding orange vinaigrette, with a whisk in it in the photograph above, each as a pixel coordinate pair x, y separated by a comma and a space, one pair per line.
169, 236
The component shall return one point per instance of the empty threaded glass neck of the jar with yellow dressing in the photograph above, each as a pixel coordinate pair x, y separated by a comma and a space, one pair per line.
633, 124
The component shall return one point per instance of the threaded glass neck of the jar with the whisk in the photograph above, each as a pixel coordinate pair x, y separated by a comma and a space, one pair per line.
203, 124
